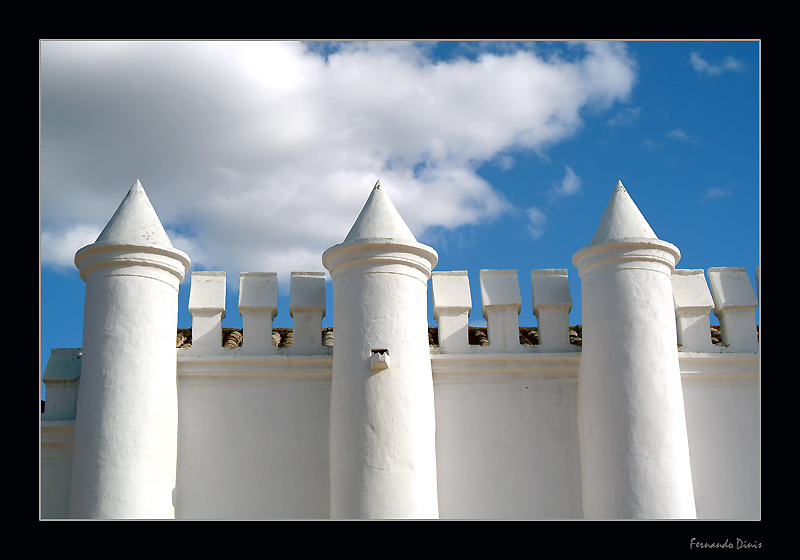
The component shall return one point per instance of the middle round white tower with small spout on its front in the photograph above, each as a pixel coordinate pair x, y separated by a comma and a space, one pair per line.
382, 425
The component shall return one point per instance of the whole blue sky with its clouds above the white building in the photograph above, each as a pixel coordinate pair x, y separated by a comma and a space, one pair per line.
259, 156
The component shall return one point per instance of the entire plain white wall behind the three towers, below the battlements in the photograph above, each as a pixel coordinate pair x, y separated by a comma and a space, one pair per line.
253, 436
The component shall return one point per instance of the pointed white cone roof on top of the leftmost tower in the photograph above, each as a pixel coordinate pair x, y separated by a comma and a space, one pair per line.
135, 222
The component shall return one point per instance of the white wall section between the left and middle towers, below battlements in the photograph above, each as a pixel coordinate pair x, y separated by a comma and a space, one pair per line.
253, 438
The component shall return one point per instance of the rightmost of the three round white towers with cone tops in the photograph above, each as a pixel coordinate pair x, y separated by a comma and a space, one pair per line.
632, 425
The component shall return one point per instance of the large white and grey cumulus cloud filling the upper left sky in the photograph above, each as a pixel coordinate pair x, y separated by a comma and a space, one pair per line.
259, 155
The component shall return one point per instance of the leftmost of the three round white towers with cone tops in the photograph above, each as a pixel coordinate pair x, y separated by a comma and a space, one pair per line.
126, 426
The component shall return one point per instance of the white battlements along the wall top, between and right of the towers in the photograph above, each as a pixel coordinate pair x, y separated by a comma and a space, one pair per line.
729, 295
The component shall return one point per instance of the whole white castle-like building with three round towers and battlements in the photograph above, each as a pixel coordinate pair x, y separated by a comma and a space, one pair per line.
639, 414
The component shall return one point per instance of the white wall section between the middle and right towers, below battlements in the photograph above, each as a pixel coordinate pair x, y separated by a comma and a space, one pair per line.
507, 436
